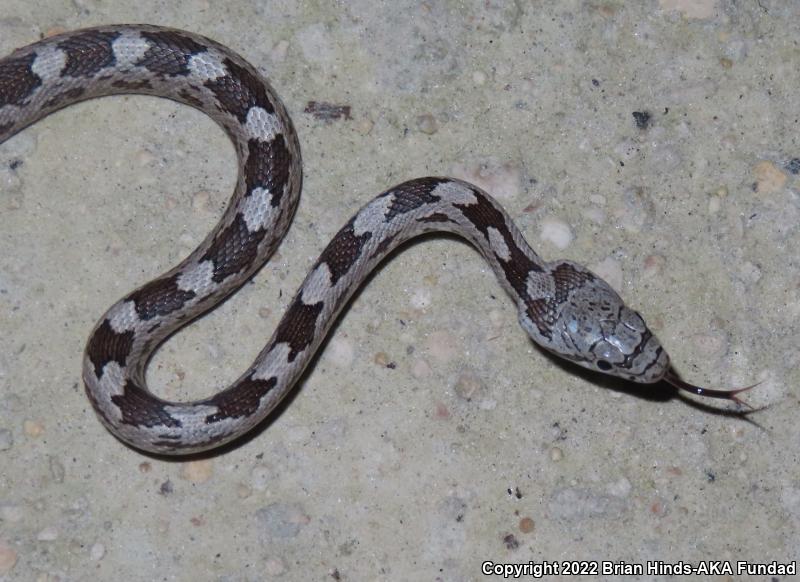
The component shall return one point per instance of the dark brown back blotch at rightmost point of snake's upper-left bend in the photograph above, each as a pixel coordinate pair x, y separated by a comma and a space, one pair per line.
267, 166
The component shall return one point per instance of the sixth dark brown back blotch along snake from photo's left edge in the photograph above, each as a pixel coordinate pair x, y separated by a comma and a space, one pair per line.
234, 249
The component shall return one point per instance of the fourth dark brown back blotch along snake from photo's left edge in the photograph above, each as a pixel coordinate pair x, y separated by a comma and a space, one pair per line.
240, 90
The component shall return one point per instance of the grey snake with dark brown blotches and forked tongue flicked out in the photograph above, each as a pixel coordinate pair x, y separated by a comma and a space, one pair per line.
564, 307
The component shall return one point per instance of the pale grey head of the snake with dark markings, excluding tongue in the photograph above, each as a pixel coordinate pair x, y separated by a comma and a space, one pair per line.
573, 313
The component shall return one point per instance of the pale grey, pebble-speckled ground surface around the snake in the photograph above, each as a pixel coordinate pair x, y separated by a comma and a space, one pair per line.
654, 142
